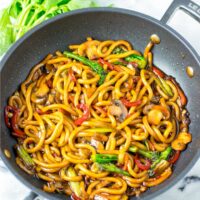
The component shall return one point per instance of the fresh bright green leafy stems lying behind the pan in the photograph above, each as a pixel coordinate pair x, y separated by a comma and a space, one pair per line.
23, 15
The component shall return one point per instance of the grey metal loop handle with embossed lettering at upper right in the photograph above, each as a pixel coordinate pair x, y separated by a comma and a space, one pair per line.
188, 6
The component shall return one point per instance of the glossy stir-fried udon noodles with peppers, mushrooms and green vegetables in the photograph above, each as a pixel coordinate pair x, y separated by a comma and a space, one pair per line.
99, 121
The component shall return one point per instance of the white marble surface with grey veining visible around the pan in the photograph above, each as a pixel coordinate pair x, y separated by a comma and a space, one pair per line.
191, 33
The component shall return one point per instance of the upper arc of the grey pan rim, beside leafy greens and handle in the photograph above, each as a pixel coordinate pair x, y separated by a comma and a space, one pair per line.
101, 9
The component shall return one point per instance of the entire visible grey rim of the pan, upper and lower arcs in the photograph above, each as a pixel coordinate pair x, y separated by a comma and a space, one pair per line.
99, 10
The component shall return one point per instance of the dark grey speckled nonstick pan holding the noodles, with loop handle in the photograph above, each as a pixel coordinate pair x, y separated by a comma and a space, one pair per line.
103, 24
